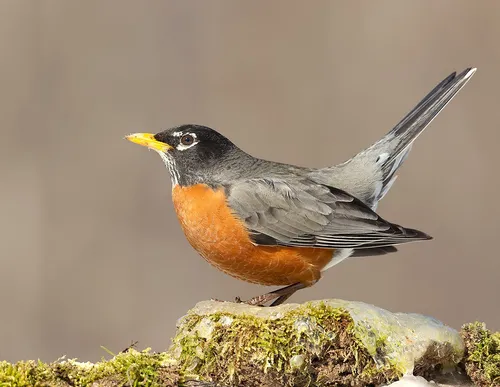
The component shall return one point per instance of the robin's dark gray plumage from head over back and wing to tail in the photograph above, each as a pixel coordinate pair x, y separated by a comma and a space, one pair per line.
288, 205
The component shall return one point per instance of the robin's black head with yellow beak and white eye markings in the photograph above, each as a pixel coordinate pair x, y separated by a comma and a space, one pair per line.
192, 153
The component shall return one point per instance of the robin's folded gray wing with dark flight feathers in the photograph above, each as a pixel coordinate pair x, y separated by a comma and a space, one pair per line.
300, 212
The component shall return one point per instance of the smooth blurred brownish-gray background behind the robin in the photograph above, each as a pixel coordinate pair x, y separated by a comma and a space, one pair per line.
91, 251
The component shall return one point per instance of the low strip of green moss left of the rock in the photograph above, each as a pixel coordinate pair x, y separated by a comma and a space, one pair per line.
131, 368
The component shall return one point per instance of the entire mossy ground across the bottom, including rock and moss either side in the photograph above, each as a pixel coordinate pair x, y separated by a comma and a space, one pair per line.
321, 343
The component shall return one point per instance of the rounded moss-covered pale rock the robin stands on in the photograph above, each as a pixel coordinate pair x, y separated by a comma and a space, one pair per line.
321, 343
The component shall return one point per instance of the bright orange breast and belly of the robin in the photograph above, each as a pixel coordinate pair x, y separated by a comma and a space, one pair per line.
223, 240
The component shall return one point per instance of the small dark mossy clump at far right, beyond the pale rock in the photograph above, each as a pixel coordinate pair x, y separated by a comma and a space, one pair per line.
482, 360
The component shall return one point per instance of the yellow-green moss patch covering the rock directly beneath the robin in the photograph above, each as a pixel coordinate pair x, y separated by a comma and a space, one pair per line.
307, 345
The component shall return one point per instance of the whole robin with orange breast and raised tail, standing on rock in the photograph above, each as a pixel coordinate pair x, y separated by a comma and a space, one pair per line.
278, 224
